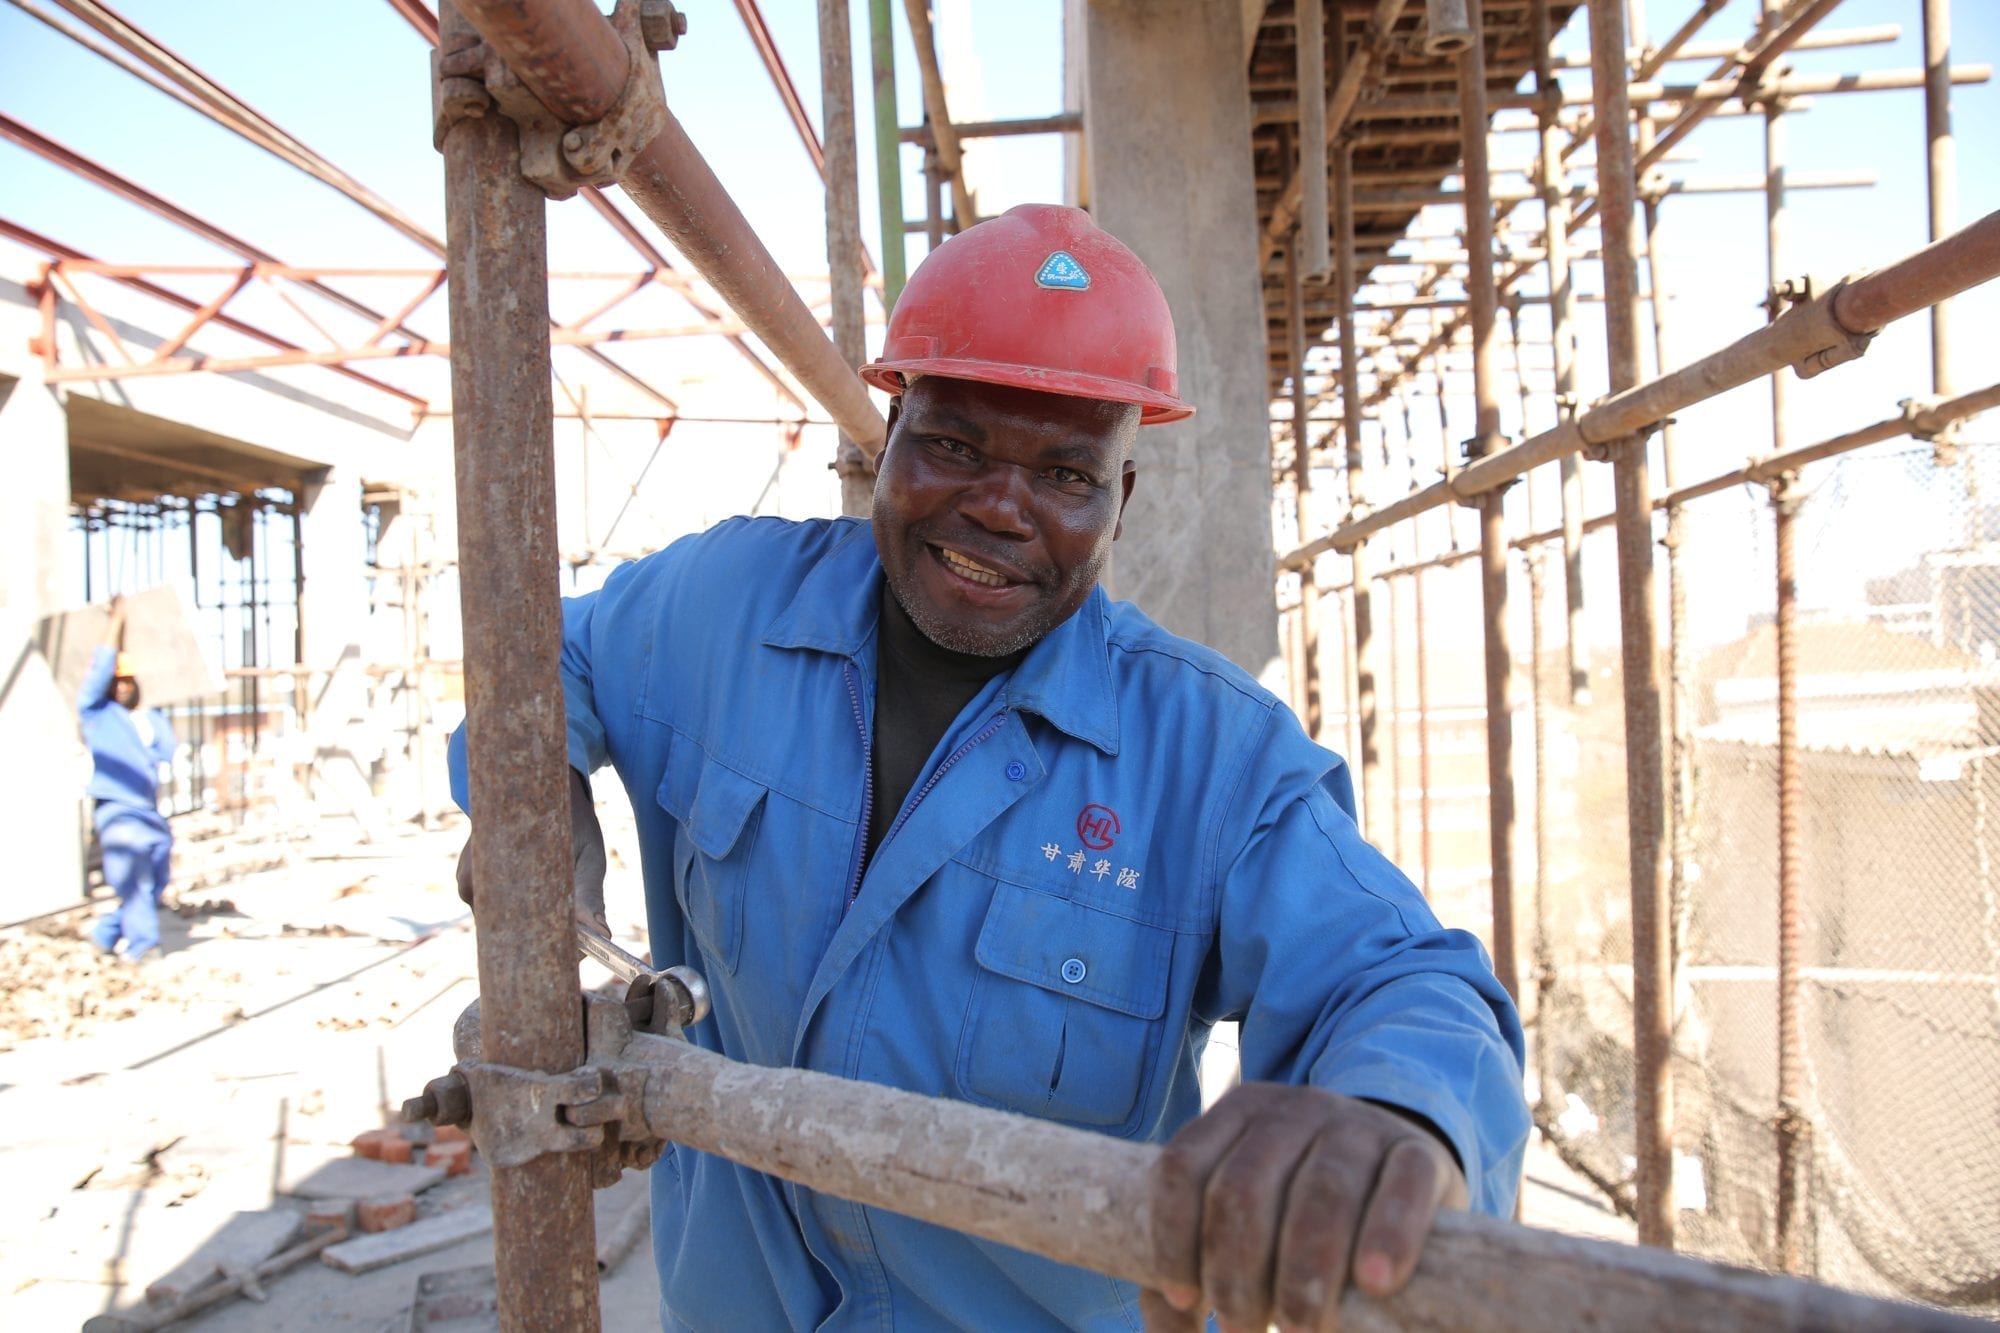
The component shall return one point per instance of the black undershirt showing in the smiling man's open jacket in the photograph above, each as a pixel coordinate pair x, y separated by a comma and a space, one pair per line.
921, 690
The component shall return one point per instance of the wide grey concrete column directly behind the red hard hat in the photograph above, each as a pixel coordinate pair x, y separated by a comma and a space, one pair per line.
1169, 173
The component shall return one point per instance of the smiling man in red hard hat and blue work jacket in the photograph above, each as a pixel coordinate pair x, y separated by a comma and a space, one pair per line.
927, 810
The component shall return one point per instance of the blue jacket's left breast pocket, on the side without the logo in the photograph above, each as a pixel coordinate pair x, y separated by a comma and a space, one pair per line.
717, 812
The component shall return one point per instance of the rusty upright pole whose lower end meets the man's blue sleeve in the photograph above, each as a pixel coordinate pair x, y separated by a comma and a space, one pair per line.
1483, 299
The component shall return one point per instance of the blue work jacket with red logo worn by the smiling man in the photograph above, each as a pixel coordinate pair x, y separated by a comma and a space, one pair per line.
1121, 844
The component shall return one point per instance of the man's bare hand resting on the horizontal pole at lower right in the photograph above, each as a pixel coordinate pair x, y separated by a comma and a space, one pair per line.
1279, 1196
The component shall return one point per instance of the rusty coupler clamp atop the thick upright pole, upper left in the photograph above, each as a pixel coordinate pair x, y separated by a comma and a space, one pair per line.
557, 157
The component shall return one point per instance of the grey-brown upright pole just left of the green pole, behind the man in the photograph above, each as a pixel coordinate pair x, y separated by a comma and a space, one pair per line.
847, 263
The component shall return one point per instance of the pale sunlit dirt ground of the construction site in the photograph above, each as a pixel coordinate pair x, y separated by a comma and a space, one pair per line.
291, 1010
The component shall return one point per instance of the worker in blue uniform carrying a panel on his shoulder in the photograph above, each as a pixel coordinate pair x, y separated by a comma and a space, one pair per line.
127, 744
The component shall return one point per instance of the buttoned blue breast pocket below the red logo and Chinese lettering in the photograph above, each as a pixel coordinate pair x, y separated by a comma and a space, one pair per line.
1065, 1016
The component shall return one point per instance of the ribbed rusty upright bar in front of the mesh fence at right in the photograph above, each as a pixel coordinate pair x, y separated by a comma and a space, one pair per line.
1795, 1150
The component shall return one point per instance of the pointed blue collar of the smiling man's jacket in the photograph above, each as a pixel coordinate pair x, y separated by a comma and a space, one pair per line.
1067, 680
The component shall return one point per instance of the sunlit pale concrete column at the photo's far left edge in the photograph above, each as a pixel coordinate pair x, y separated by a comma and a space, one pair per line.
43, 786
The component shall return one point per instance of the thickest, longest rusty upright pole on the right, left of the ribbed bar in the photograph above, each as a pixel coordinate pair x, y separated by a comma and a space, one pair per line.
1653, 1020
